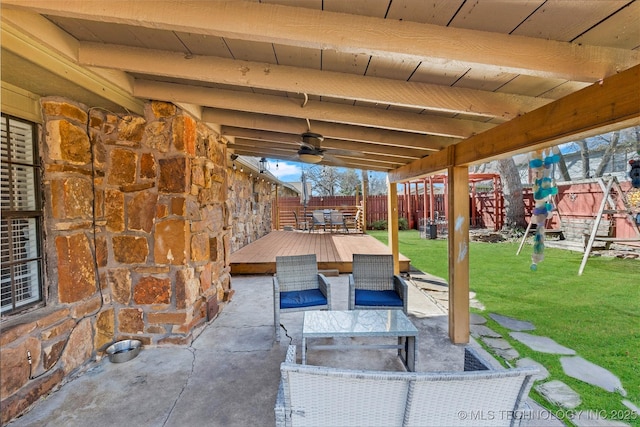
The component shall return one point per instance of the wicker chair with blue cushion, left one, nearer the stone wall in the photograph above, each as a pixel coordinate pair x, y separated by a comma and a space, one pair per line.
297, 286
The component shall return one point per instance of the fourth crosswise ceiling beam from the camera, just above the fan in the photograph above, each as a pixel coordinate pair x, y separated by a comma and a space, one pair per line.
228, 118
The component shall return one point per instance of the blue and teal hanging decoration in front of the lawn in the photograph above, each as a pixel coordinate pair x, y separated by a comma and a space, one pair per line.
544, 187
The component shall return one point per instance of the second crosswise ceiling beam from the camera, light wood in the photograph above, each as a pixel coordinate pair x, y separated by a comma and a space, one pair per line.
284, 78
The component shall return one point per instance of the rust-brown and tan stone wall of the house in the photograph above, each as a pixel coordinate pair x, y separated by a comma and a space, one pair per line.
138, 228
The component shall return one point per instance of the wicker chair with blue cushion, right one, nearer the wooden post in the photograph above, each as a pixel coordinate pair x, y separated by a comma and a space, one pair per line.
372, 285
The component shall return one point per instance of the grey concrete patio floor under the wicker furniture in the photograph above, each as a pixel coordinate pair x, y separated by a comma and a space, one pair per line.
229, 375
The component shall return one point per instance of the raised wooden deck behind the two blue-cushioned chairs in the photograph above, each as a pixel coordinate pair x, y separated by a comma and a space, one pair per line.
334, 251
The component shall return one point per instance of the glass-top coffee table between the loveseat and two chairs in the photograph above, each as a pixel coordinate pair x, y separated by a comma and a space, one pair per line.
361, 323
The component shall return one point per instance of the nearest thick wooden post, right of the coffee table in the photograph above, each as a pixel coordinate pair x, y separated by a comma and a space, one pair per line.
458, 218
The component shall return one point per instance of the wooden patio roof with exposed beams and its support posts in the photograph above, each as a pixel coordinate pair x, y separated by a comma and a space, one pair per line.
407, 87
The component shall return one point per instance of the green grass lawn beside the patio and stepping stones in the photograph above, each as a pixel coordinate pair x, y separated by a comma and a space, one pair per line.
596, 314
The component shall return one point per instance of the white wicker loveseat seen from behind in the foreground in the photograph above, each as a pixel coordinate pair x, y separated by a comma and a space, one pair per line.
323, 396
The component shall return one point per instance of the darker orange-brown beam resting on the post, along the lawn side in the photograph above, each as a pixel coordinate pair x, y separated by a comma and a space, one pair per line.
602, 107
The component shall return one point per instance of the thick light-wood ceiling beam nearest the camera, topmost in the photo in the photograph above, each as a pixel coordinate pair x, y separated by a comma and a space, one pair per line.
399, 40
